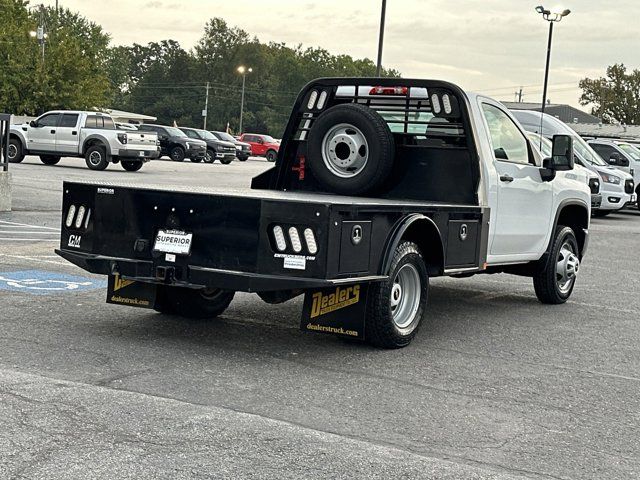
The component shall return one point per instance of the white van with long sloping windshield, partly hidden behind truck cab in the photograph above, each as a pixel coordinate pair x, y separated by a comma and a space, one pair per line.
616, 187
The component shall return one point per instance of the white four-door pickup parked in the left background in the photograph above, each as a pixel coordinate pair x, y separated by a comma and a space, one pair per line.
89, 135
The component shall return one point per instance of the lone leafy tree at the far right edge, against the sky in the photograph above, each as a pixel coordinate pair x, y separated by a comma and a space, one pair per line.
614, 98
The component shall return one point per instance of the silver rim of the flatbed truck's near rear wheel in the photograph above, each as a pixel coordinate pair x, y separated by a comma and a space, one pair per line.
405, 296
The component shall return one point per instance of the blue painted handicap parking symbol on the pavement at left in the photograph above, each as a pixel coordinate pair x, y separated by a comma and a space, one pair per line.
41, 282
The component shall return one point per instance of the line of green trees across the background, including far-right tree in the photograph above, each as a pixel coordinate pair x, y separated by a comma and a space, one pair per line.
80, 69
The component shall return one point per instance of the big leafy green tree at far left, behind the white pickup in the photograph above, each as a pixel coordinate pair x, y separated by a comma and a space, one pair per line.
72, 74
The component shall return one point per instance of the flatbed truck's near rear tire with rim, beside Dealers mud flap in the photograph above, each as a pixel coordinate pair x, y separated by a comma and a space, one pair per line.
397, 305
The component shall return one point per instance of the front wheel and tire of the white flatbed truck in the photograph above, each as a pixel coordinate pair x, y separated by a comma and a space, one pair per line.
555, 280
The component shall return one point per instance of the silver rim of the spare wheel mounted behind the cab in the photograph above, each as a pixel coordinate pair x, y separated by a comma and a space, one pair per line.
345, 150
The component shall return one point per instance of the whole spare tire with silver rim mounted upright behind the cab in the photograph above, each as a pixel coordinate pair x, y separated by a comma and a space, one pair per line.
350, 150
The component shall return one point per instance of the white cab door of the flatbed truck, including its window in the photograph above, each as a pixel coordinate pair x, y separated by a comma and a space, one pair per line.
524, 205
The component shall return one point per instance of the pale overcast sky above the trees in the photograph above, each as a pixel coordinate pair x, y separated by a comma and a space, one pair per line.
492, 46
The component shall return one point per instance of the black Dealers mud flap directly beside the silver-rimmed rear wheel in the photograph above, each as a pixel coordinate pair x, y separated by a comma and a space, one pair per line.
336, 310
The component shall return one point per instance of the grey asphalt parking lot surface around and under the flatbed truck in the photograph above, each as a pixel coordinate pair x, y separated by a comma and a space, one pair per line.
496, 385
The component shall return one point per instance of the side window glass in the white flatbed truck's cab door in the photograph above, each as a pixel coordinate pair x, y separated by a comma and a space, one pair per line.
509, 144
